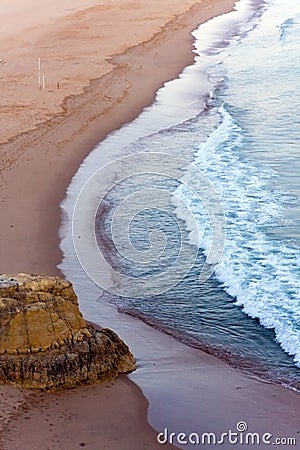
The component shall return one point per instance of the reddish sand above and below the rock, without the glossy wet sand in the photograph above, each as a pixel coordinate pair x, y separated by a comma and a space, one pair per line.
99, 66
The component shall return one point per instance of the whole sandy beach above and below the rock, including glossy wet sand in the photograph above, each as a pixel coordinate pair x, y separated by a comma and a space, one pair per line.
99, 67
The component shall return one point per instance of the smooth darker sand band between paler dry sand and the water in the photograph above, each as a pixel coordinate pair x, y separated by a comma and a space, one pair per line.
54, 151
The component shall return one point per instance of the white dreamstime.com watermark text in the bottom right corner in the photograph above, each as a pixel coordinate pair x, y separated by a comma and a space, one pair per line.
239, 436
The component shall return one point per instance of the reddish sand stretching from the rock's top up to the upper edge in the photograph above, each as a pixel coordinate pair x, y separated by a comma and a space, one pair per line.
74, 45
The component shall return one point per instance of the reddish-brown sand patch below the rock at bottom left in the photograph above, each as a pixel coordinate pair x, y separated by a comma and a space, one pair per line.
95, 417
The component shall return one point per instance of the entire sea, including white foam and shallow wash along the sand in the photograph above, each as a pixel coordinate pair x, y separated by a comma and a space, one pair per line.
211, 180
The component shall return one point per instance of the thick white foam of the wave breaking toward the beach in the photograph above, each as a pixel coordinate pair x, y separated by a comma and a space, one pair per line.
260, 272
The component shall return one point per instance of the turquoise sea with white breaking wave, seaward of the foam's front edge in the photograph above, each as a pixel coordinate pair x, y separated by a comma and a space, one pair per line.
258, 177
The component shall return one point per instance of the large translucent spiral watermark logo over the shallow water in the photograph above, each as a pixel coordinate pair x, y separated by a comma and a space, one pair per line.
145, 196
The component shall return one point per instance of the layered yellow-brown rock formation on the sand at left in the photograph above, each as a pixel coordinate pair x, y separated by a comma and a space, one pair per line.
45, 342
